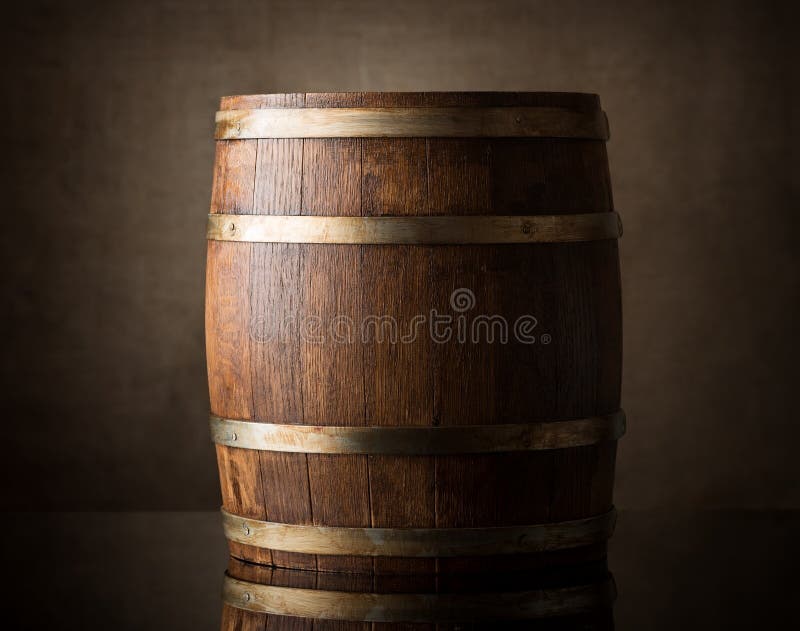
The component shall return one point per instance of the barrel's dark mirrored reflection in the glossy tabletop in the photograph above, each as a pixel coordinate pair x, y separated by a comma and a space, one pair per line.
580, 598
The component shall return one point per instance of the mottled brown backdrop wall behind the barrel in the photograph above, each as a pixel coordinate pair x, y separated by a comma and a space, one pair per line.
107, 125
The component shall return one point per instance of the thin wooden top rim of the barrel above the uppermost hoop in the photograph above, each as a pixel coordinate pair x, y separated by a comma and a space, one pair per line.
439, 98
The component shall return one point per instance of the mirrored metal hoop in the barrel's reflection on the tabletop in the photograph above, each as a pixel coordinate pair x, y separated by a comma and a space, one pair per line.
416, 607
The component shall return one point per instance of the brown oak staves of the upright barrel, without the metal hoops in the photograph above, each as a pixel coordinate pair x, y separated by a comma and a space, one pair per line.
572, 289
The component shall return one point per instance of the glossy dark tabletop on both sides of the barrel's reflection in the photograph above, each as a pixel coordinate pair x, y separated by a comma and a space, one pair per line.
721, 569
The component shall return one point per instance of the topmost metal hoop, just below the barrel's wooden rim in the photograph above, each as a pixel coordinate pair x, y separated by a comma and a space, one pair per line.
411, 122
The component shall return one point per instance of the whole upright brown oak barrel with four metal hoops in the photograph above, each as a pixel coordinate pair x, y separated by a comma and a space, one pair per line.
413, 330
